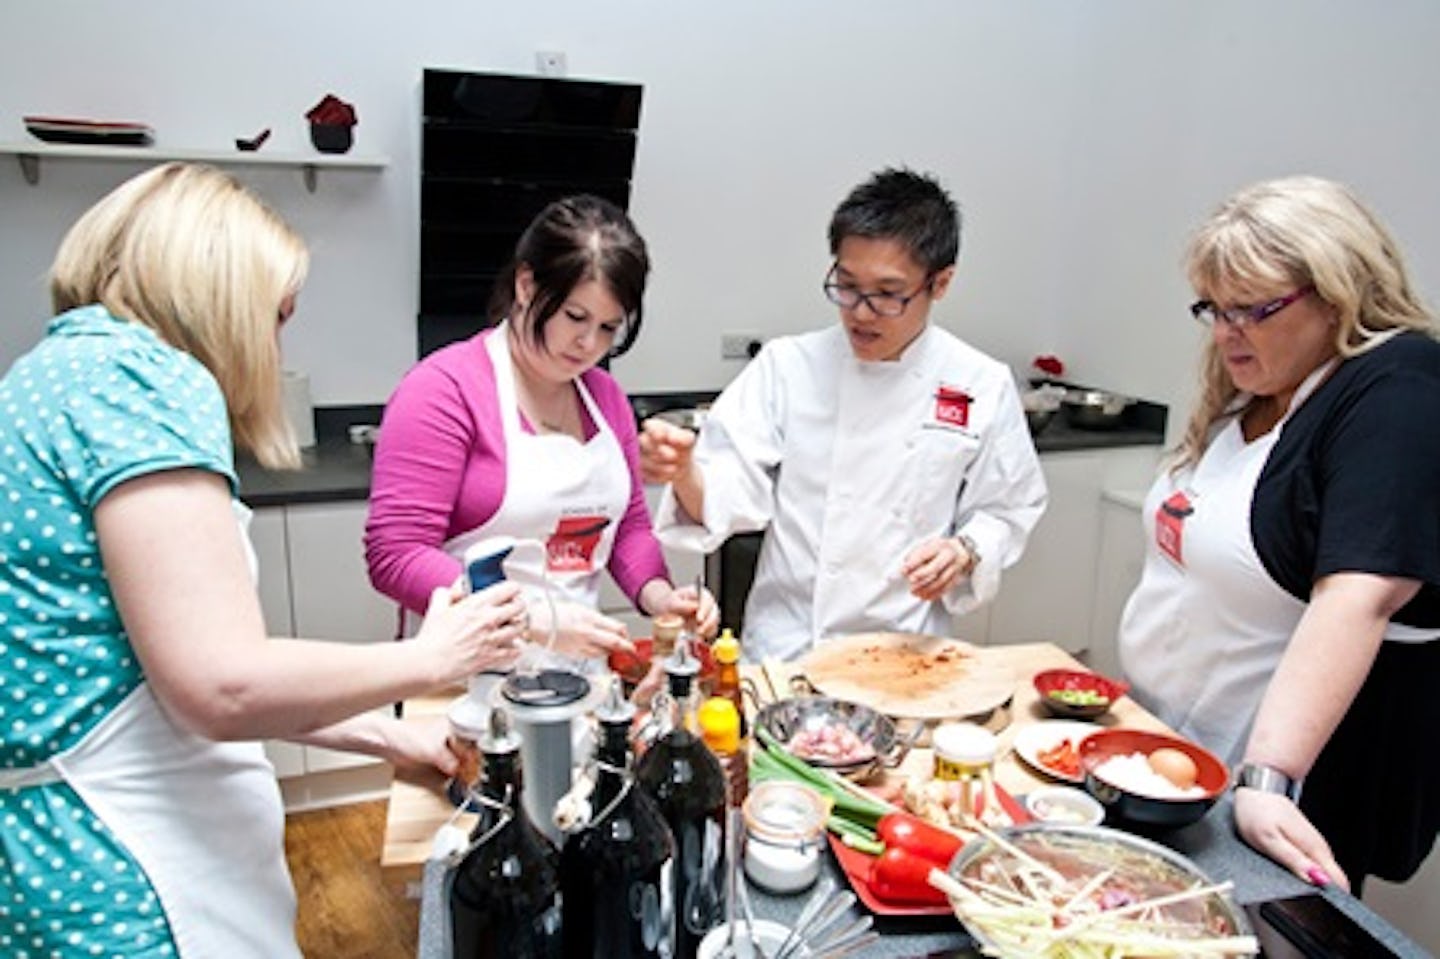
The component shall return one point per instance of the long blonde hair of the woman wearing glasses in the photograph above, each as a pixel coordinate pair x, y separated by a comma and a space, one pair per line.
1304, 233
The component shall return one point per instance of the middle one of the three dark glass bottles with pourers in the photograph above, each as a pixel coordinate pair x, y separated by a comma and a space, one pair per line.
616, 872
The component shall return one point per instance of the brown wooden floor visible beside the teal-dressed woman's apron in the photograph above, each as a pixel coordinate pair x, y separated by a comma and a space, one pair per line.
346, 912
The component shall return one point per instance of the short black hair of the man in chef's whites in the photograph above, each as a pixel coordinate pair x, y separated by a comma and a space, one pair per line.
906, 207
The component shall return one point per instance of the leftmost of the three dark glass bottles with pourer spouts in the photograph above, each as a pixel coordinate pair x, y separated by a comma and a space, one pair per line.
506, 896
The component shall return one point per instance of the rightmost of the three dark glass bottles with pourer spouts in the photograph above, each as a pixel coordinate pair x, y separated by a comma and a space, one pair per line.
690, 788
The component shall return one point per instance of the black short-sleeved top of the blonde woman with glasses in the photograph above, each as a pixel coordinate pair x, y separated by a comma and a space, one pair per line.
1354, 480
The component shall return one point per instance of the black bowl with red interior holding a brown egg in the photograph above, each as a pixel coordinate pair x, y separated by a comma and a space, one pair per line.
1133, 807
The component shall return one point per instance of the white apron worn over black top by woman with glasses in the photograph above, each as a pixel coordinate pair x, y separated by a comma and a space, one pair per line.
1207, 626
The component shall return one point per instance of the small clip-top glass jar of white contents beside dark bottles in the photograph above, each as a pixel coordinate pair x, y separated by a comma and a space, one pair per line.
784, 833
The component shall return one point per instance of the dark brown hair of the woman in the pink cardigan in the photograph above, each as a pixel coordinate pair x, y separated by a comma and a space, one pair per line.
570, 243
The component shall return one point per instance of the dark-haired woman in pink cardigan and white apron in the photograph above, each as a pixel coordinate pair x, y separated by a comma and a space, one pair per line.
518, 433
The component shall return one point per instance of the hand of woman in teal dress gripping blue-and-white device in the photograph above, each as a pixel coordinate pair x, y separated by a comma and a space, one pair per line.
473, 633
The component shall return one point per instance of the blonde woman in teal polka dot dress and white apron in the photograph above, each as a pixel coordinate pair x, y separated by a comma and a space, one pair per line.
139, 816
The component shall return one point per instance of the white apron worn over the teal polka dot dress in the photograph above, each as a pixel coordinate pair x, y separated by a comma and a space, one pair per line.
205, 821
